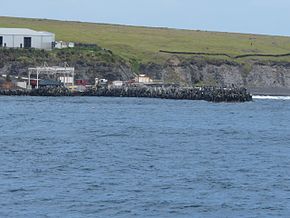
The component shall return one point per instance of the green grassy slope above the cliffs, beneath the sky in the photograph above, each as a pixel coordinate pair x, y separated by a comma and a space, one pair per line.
143, 44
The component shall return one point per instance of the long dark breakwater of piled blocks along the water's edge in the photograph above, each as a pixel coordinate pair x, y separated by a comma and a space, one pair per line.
211, 94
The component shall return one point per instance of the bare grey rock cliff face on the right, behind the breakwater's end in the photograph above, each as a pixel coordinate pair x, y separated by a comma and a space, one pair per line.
261, 78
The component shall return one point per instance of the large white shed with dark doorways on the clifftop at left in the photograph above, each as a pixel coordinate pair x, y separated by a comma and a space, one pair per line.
26, 38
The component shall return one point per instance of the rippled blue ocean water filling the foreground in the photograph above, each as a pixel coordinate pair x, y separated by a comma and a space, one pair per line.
130, 157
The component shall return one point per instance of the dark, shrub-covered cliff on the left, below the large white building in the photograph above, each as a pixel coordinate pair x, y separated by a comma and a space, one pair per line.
88, 64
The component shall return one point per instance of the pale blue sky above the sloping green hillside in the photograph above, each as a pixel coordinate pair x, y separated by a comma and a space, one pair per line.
246, 16
